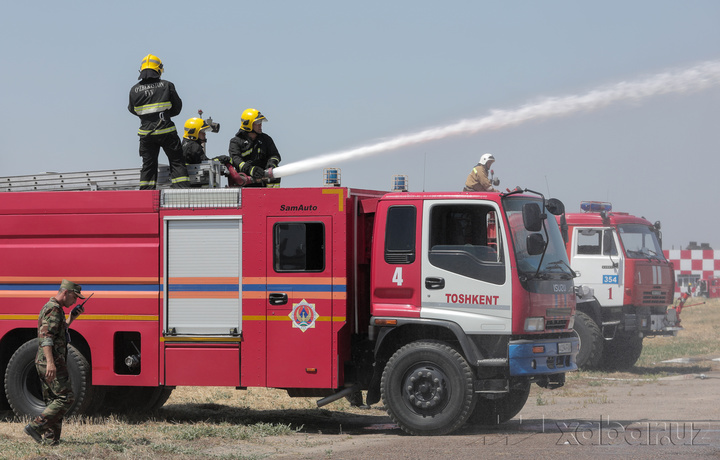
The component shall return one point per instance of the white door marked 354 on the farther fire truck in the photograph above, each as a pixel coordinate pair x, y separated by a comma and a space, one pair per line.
595, 257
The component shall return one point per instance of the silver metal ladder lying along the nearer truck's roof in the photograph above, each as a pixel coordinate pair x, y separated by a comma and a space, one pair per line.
206, 175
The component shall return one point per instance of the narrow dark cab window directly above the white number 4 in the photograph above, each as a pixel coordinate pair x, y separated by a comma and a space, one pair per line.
400, 235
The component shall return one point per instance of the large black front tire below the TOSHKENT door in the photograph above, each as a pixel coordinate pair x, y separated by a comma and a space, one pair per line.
427, 388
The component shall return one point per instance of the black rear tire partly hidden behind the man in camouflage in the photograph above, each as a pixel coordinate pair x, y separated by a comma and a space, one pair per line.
22, 384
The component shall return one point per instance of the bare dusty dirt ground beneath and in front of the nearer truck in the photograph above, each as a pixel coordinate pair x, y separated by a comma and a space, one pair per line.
670, 417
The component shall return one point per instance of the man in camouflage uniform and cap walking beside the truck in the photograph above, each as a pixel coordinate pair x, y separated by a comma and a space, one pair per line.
51, 363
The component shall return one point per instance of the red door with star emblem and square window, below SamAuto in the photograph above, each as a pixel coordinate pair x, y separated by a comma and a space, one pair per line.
299, 300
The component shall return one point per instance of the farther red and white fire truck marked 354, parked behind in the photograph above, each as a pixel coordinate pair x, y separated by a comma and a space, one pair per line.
620, 257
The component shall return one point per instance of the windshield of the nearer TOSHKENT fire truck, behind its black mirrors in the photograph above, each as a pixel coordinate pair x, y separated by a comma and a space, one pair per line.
555, 261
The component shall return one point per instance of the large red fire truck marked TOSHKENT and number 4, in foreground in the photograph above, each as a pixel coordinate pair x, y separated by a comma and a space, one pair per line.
324, 292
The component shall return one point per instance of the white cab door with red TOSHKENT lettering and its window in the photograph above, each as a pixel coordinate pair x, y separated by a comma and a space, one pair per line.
466, 277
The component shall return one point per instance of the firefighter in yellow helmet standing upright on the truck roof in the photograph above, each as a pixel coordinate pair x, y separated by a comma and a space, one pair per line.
155, 101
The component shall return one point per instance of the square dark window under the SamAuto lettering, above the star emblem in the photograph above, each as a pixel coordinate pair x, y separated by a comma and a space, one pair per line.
299, 247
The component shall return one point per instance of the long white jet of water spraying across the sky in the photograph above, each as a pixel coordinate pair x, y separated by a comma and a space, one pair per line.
695, 78
